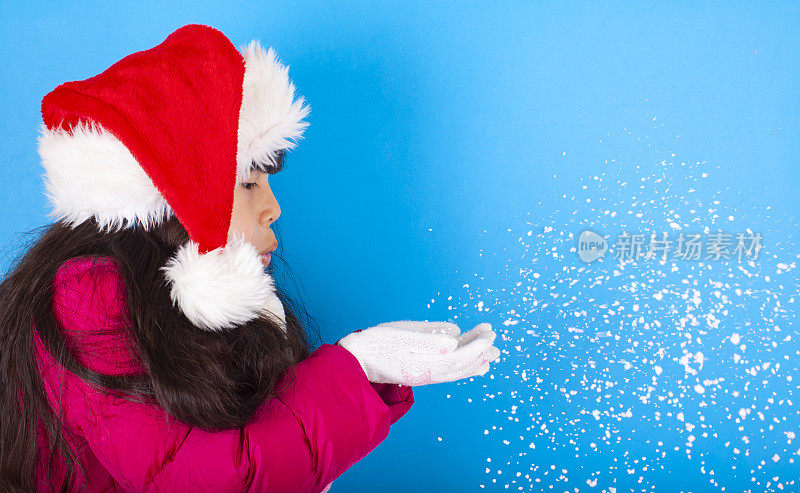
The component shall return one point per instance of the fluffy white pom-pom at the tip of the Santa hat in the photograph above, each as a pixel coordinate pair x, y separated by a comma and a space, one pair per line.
222, 288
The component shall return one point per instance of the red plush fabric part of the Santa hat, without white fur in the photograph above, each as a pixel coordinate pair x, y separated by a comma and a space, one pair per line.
176, 108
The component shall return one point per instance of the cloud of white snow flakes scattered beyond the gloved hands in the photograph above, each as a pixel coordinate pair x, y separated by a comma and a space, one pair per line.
617, 377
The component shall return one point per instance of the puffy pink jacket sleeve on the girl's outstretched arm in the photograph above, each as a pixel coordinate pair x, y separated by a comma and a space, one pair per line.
327, 417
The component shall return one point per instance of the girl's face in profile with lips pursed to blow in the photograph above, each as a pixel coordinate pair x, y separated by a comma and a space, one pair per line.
254, 210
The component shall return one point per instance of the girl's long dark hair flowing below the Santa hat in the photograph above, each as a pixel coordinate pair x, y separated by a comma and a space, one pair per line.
210, 380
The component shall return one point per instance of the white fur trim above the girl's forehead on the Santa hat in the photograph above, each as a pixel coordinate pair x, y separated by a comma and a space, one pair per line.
270, 119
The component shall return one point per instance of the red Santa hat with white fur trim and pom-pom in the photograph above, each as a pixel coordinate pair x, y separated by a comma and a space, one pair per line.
170, 131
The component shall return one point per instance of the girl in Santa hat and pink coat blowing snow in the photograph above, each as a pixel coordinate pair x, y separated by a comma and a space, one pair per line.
143, 342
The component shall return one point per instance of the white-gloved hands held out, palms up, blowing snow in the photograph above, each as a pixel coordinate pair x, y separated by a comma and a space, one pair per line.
419, 353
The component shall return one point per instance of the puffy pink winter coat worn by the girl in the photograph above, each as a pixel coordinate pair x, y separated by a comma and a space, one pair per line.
330, 418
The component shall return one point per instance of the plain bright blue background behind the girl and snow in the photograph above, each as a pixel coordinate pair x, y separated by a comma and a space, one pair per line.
439, 136
